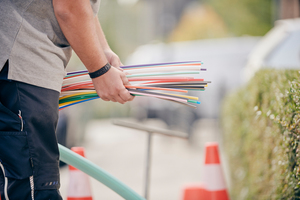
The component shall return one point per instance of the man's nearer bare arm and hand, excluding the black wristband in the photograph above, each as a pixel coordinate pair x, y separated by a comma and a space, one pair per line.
77, 22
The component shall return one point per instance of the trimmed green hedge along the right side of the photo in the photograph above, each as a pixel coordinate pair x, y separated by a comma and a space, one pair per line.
261, 136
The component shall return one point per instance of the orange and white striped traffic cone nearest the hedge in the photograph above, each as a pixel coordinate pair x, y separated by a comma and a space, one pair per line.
213, 178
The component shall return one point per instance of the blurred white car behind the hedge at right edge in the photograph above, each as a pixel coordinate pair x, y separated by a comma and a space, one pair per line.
279, 48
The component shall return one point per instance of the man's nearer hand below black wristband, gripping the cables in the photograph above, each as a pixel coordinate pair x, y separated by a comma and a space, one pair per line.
110, 86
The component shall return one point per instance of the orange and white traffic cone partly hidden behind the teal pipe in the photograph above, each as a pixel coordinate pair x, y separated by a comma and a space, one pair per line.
79, 185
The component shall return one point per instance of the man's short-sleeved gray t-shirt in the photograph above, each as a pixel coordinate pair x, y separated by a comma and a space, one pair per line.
32, 41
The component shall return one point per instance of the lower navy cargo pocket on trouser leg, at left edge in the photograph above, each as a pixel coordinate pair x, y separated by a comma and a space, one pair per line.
14, 154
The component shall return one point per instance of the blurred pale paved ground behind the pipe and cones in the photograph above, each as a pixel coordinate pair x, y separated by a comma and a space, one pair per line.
122, 152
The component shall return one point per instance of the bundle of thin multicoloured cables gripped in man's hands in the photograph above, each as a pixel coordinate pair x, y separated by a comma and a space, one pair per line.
160, 80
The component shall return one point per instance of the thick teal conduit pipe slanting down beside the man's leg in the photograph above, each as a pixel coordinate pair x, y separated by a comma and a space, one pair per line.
99, 174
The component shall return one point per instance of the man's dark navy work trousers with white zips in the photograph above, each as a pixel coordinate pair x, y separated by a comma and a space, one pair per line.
29, 155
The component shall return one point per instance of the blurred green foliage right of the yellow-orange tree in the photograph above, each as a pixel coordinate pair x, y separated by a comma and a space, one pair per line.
246, 17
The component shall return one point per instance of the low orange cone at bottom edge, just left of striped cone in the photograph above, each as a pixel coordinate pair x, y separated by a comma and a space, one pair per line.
194, 192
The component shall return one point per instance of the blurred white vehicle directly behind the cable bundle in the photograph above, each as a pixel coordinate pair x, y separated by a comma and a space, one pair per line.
224, 60
